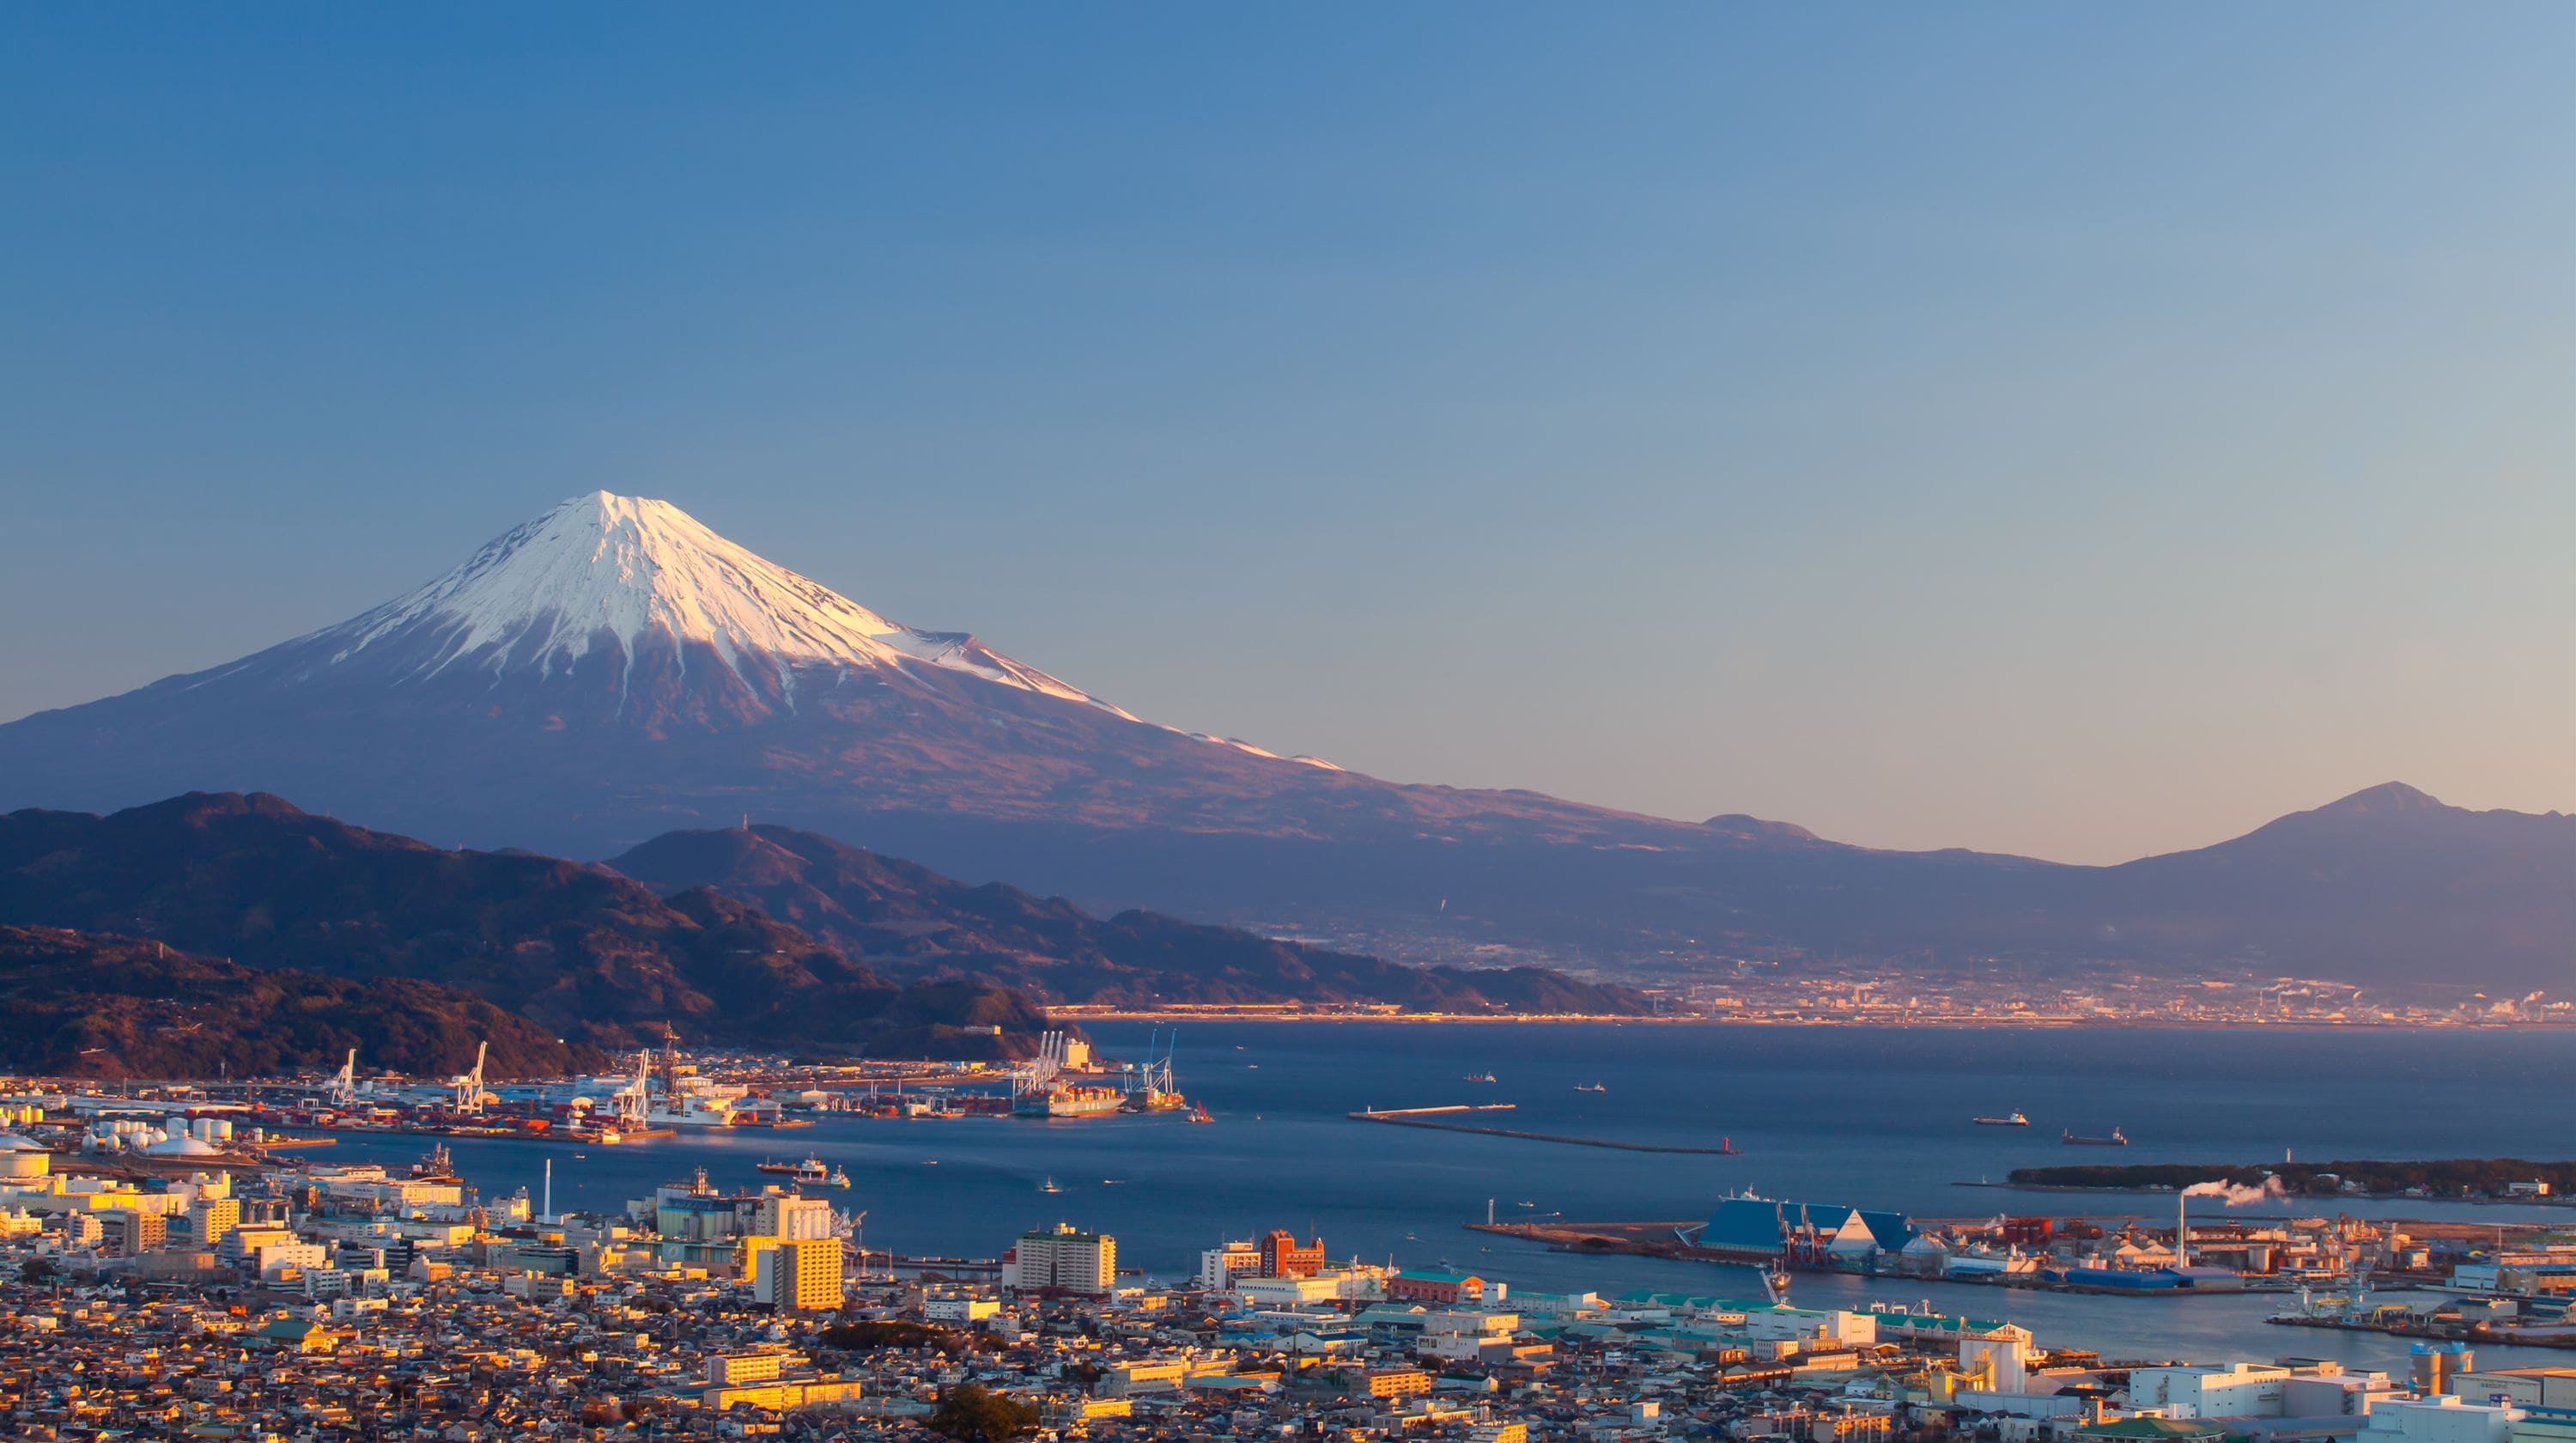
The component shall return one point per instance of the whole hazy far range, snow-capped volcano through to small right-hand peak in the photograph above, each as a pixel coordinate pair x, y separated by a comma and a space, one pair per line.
614, 671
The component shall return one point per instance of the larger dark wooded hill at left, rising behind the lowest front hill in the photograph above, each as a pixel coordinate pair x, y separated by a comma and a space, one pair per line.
589, 955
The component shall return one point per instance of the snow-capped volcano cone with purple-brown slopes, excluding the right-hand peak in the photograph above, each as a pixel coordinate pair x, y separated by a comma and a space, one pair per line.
614, 669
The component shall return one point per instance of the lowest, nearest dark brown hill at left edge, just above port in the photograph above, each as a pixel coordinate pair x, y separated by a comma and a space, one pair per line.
102, 1006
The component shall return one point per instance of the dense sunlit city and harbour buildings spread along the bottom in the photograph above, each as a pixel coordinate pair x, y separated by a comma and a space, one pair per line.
187, 1264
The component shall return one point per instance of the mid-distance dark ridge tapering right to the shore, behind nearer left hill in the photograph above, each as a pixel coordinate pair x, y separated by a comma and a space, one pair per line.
911, 921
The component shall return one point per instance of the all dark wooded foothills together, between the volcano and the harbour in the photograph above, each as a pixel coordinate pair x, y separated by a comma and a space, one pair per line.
359, 926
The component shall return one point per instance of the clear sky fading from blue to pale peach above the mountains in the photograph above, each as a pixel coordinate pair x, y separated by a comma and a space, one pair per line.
2060, 429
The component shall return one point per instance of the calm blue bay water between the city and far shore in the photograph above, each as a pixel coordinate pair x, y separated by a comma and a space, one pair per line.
1820, 1114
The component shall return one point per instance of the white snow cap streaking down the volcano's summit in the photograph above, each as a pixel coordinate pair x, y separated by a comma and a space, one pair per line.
632, 573
